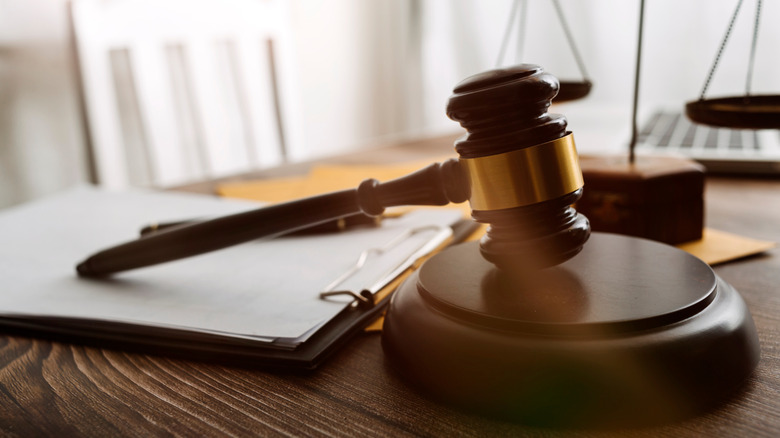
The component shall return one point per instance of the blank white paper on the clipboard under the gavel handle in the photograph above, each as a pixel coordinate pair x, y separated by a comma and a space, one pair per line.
261, 290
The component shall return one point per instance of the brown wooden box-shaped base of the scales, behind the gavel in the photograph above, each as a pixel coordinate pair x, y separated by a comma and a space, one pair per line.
658, 198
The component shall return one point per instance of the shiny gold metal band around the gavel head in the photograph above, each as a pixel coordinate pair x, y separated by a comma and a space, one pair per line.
524, 176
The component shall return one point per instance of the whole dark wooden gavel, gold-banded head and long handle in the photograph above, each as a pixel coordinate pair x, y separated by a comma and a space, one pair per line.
517, 167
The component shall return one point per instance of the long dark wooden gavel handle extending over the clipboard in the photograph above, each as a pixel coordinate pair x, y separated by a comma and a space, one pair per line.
437, 184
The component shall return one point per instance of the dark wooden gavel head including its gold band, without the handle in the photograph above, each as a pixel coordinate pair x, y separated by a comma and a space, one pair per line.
521, 166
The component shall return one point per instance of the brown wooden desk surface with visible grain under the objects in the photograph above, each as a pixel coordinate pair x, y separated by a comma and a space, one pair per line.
56, 389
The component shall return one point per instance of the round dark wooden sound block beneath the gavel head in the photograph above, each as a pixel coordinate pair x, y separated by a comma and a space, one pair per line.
628, 332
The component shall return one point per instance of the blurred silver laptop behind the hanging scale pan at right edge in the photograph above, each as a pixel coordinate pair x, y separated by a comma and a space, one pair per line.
720, 150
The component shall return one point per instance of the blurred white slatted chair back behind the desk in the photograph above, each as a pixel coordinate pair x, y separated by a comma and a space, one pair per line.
181, 90
